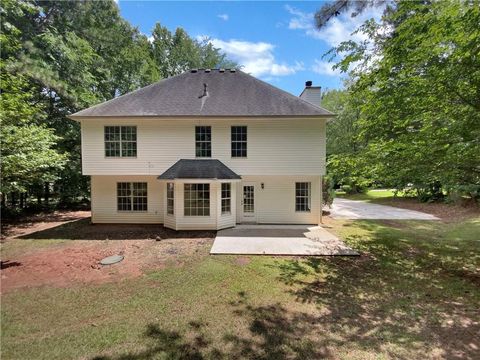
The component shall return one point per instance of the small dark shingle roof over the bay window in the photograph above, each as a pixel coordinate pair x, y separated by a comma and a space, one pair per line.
199, 169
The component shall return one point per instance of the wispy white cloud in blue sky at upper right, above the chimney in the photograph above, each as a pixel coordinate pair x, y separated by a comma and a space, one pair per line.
337, 29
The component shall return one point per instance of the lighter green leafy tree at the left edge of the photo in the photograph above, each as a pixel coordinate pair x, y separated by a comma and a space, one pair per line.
29, 156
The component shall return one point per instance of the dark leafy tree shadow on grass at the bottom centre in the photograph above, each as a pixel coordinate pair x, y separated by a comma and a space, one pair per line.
273, 333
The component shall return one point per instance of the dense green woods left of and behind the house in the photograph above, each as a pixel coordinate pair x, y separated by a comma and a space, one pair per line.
62, 56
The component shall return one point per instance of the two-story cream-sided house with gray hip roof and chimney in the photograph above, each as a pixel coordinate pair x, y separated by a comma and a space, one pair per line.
206, 149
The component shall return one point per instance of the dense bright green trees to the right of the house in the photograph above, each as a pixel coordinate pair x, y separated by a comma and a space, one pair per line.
409, 116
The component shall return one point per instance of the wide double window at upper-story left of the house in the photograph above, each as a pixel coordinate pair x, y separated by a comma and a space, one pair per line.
120, 141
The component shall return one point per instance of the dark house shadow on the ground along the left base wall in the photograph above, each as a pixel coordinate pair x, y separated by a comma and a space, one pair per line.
84, 230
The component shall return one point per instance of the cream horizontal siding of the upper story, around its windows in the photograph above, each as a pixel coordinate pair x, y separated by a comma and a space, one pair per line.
275, 147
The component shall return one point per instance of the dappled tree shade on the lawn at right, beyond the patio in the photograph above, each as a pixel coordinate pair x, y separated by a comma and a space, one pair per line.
413, 290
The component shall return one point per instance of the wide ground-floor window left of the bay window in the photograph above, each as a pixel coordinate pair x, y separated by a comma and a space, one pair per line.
132, 196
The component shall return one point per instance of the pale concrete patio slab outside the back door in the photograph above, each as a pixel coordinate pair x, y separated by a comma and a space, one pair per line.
279, 240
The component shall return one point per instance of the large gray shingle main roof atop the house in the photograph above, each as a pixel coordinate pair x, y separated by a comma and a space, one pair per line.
229, 92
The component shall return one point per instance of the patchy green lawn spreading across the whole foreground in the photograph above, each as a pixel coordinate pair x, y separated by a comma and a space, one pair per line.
413, 294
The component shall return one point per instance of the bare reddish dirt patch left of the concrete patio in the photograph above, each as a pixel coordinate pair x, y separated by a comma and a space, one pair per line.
78, 262
